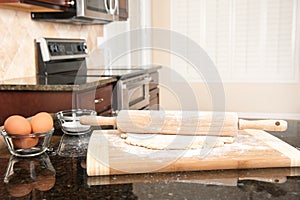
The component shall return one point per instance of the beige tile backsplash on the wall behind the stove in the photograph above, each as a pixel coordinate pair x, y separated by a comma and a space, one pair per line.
18, 31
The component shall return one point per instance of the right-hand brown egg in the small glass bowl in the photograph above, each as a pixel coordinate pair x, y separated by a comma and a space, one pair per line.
41, 122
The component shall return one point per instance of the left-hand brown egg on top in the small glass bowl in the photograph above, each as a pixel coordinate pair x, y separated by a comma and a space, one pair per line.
17, 124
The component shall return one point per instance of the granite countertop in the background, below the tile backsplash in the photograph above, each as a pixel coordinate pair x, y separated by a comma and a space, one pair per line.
31, 84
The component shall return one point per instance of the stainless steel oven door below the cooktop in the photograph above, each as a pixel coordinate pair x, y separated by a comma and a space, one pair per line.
133, 93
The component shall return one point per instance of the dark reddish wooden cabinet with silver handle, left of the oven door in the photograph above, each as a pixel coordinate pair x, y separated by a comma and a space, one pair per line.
98, 99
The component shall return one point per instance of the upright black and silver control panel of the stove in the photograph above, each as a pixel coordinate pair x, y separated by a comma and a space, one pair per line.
61, 61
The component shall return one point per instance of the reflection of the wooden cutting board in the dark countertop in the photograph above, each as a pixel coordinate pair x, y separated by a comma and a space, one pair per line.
216, 177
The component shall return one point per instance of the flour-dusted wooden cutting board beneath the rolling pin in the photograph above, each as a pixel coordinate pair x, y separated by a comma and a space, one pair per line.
108, 154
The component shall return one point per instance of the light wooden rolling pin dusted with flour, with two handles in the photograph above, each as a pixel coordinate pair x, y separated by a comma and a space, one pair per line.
182, 122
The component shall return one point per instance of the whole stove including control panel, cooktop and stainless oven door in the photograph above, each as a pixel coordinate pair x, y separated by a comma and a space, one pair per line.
63, 61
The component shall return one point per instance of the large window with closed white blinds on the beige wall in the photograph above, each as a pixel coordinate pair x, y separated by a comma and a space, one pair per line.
248, 40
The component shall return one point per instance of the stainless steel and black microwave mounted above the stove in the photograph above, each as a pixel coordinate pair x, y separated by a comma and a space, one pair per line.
86, 12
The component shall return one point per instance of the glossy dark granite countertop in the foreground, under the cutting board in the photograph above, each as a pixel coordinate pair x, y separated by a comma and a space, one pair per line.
60, 173
